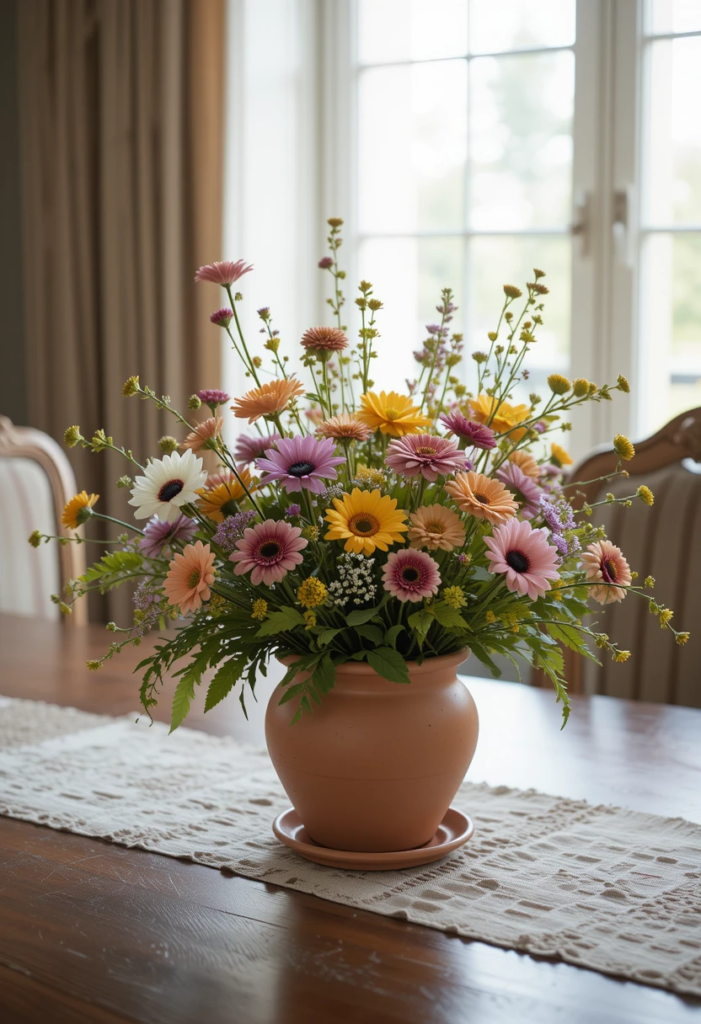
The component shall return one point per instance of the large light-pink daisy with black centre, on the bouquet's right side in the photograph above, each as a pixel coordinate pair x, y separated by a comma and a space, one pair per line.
525, 557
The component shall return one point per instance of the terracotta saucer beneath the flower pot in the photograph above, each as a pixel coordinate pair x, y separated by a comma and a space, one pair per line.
455, 830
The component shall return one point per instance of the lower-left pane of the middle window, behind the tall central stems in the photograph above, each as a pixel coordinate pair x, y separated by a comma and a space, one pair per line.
408, 276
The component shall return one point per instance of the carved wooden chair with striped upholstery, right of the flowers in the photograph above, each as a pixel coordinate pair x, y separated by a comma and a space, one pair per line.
664, 542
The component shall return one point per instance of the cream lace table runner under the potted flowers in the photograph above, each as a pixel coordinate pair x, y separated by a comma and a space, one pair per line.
604, 888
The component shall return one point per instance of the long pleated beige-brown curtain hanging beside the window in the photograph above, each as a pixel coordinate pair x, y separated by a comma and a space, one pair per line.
122, 119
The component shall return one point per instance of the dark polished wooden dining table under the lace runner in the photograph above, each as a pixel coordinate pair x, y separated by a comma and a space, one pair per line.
94, 932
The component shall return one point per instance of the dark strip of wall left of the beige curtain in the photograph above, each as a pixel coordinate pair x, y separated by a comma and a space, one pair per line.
14, 398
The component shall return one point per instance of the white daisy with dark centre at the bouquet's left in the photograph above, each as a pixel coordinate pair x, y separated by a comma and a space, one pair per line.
167, 485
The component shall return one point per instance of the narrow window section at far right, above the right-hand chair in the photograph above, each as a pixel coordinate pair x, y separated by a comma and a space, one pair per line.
670, 238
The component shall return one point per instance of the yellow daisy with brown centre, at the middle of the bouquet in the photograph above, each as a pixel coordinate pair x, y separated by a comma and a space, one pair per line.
366, 521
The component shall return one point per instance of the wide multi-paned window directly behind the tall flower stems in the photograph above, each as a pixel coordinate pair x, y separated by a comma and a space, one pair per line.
465, 142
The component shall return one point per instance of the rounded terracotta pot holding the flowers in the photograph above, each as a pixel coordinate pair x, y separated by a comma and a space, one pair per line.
375, 767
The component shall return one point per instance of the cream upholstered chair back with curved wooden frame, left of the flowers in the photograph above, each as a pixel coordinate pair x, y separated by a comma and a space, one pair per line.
36, 482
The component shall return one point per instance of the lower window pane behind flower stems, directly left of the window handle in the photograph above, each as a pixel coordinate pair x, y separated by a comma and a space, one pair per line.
510, 261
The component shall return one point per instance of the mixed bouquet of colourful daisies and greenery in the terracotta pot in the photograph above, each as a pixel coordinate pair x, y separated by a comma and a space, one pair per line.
358, 525
